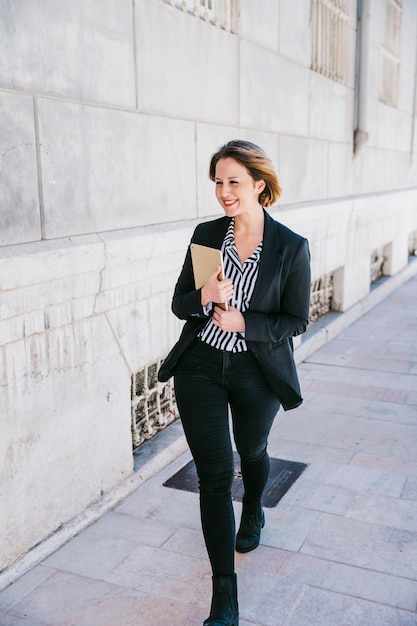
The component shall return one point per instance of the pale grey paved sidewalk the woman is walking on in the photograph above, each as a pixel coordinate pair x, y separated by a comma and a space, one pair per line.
340, 548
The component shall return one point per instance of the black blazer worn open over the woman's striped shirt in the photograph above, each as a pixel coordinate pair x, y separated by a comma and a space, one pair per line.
279, 307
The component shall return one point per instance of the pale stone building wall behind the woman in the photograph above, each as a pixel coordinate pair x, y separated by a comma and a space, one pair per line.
109, 115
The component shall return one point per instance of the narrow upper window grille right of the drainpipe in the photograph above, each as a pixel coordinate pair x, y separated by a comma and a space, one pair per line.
390, 52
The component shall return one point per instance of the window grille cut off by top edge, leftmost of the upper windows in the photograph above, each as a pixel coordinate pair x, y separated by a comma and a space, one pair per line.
220, 13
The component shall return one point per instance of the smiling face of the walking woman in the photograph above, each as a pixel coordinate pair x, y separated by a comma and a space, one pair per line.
236, 190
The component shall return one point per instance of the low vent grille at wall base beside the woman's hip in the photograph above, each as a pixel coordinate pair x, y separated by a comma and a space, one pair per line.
153, 404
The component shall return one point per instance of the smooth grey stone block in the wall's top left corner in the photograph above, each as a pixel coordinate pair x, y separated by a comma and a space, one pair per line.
80, 50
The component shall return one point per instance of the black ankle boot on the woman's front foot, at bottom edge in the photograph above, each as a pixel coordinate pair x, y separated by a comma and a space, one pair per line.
224, 608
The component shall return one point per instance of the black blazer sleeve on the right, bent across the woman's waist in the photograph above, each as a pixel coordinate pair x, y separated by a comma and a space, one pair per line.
289, 316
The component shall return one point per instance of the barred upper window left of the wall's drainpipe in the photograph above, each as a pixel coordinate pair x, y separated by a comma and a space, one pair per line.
330, 38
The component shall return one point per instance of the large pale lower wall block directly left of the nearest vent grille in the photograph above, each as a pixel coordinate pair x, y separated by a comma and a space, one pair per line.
45, 428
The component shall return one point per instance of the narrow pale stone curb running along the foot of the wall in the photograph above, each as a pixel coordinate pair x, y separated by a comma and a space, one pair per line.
158, 455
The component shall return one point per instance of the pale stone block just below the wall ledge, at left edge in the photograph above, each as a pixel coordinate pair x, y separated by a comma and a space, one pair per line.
48, 284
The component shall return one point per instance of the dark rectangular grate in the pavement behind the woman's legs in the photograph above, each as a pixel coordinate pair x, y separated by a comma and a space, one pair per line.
282, 475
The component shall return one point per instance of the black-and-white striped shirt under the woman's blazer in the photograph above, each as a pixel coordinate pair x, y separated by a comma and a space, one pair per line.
244, 279
